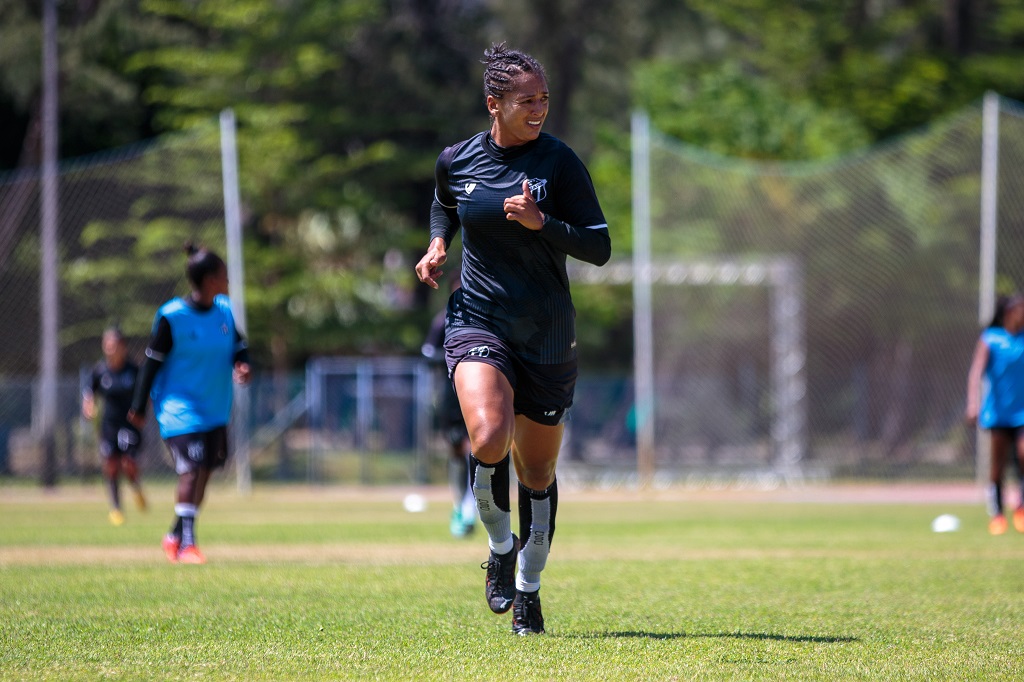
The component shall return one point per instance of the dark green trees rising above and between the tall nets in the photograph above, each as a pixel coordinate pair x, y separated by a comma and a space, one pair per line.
345, 105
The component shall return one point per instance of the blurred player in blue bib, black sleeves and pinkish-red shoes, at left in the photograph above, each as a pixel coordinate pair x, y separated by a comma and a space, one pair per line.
194, 354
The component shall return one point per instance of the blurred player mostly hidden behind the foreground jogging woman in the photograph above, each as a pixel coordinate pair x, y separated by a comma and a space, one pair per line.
454, 427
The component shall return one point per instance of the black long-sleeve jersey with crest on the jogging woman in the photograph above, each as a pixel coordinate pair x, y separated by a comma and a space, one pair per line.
515, 282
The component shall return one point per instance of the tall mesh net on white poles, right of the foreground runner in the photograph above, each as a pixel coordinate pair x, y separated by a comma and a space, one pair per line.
887, 244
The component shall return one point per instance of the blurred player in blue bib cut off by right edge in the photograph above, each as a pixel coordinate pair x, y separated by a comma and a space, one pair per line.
996, 402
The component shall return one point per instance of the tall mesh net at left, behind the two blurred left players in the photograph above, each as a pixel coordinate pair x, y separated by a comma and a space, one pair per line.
124, 218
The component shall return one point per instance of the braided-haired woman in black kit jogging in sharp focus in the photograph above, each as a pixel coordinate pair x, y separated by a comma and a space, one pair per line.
524, 203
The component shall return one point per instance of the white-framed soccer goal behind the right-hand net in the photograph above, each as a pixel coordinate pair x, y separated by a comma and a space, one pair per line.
687, 414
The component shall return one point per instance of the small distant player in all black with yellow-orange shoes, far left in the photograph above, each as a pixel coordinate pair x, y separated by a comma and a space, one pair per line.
113, 381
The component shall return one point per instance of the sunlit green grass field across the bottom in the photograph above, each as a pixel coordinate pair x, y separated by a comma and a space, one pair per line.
325, 584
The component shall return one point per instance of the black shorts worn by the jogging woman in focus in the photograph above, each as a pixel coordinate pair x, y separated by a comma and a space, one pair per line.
543, 393
